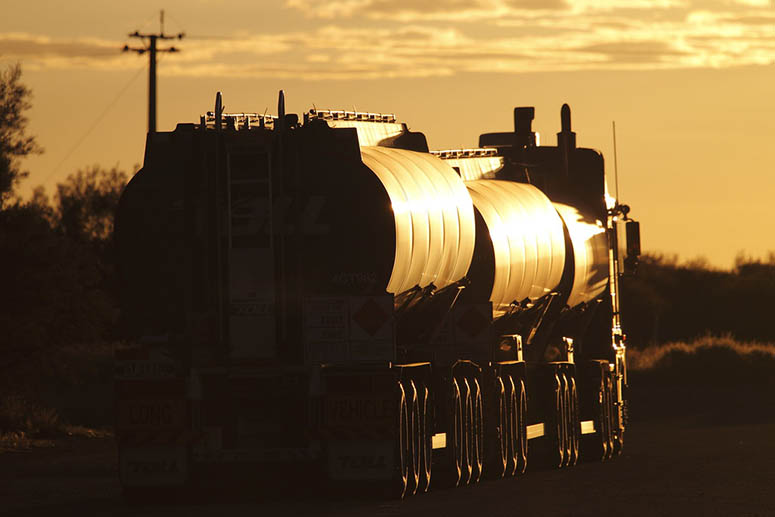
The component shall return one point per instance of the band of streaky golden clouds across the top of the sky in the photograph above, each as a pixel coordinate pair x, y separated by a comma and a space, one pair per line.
554, 38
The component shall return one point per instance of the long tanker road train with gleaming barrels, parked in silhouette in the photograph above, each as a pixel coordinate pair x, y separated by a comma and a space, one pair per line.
324, 292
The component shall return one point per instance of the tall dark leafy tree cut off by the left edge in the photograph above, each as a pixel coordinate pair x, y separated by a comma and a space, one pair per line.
14, 142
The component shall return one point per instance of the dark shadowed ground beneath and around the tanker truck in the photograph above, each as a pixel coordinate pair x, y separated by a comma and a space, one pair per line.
717, 458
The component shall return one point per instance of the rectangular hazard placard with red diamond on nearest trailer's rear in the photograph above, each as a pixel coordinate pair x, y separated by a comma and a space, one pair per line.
352, 328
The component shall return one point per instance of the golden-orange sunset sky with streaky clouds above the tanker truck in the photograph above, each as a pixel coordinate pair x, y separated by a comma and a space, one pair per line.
690, 84
